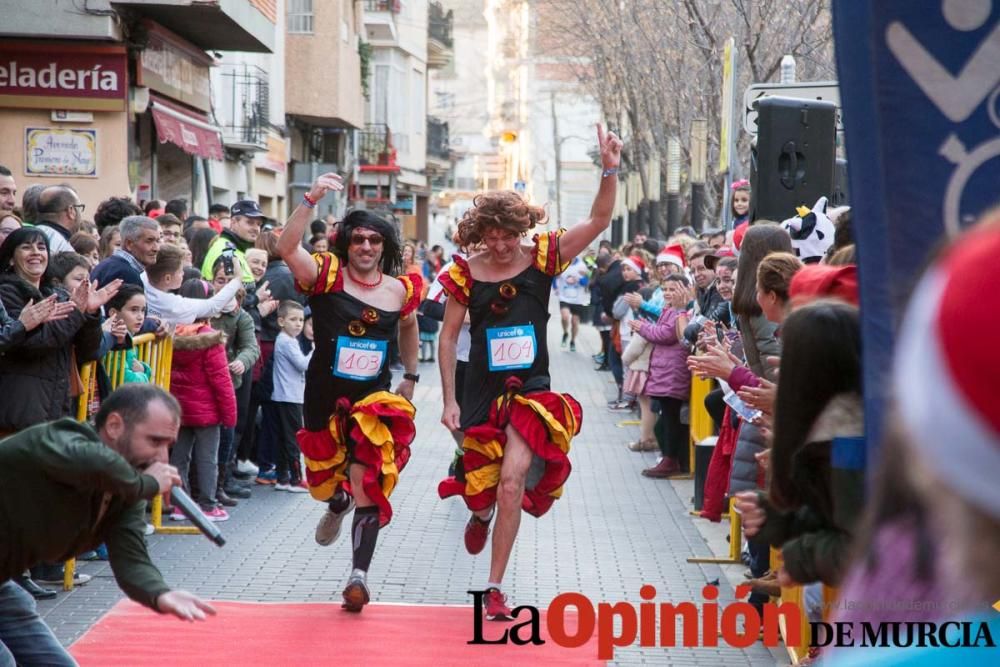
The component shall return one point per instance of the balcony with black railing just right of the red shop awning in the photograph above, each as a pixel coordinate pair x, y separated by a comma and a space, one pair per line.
243, 107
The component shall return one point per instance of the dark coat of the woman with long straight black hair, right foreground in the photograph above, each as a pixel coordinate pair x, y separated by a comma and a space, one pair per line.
815, 538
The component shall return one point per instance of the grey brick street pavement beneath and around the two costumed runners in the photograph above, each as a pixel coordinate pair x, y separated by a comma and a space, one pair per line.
612, 532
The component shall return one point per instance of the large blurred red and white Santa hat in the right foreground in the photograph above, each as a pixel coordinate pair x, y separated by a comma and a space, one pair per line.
946, 370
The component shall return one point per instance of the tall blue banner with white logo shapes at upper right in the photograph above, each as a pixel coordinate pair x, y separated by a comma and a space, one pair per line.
919, 85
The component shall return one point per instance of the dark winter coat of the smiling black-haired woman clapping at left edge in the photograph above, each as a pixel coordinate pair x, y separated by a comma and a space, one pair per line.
35, 375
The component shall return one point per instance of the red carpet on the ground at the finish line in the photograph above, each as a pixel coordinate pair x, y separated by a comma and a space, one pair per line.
297, 634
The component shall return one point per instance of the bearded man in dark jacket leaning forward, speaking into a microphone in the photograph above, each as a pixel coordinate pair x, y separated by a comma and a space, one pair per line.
66, 488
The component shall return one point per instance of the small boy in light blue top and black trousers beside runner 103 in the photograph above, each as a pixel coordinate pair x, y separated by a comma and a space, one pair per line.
288, 394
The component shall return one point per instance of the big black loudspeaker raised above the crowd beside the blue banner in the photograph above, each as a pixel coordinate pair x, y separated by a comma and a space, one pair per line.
793, 163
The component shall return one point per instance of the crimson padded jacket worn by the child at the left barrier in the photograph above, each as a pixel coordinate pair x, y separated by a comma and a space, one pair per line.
199, 377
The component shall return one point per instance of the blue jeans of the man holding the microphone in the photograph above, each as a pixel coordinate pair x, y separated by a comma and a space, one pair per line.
24, 637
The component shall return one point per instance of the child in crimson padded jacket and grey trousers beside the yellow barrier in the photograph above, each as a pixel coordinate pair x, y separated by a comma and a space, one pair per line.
199, 379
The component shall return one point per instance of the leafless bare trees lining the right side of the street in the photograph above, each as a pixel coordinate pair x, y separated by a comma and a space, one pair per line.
656, 65
